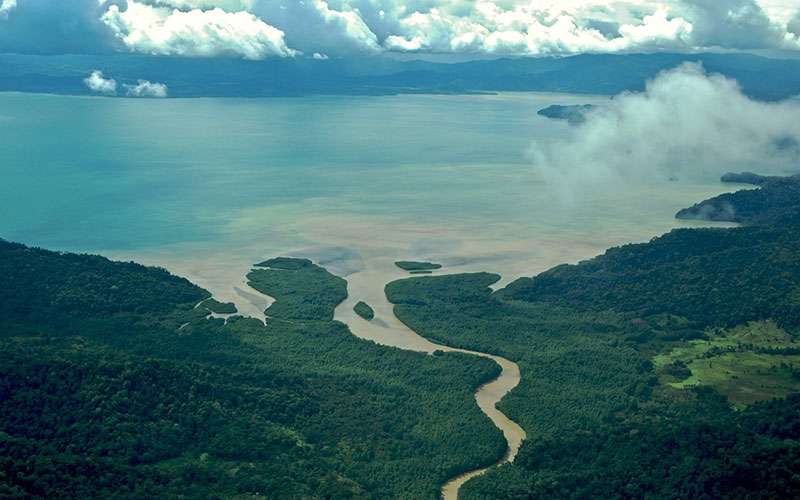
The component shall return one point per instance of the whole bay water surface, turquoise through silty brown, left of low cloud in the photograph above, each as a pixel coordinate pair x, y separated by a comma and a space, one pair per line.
206, 187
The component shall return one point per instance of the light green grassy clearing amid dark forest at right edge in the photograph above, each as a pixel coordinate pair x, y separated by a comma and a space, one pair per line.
747, 364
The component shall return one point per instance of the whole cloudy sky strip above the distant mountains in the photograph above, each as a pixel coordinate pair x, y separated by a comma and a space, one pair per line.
259, 29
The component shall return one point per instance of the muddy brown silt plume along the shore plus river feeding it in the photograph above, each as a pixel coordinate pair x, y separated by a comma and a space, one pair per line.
362, 249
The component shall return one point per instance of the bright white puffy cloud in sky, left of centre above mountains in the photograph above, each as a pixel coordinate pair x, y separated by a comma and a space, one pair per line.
161, 31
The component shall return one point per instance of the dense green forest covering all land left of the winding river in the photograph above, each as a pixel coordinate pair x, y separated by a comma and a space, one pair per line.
113, 383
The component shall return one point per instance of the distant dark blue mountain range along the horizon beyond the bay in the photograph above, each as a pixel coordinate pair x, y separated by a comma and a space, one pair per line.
760, 77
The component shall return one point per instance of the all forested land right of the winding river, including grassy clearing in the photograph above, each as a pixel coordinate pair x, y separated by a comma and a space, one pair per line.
668, 369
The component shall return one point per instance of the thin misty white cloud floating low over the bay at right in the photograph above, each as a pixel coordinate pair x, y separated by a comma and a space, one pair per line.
686, 124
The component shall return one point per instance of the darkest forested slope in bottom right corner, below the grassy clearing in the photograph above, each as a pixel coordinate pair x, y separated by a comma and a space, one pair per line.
699, 449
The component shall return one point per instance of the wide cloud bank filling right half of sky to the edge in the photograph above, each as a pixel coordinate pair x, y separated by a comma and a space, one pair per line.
574, 26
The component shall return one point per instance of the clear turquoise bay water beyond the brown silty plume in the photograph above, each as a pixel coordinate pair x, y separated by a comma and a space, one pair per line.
91, 173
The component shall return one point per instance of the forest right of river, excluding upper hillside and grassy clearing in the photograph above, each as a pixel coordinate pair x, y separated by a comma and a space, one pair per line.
599, 423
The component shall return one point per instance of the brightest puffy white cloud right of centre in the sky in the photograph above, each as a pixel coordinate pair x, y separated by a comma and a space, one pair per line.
530, 29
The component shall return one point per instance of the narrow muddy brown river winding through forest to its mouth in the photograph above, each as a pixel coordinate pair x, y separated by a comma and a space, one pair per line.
387, 329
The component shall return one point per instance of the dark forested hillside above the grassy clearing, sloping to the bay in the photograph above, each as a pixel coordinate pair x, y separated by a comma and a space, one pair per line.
710, 276
